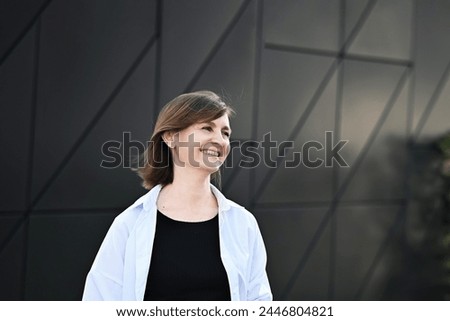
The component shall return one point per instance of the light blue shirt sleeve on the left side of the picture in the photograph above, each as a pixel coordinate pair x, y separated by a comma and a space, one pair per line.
105, 278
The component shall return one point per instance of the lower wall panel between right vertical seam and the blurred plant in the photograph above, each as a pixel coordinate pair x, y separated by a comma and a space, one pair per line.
361, 233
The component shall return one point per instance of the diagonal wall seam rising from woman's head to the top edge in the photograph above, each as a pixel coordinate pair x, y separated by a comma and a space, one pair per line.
217, 46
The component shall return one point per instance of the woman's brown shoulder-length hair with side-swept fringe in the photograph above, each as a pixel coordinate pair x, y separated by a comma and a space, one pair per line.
156, 163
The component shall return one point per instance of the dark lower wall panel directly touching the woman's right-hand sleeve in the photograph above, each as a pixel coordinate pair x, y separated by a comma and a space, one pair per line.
287, 233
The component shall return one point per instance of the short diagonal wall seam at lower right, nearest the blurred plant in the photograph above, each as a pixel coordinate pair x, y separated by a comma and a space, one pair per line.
381, 250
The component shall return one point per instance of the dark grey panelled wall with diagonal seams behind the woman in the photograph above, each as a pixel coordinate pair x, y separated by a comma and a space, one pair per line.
75, 74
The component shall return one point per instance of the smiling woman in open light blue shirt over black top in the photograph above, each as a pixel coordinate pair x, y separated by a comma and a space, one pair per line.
183, 240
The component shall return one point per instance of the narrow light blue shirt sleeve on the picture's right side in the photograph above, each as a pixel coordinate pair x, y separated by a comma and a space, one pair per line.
259, 287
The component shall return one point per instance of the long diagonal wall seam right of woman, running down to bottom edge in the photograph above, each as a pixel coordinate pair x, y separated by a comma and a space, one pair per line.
345, 184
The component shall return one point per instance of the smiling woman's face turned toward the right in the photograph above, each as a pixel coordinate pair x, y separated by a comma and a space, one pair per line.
203, 145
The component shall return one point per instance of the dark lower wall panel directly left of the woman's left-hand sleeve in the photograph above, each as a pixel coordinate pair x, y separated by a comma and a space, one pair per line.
61, 249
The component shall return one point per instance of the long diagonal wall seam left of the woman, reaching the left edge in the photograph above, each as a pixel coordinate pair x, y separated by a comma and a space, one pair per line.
81, 138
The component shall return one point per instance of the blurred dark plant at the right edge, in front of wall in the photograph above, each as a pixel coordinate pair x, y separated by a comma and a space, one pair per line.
429, 233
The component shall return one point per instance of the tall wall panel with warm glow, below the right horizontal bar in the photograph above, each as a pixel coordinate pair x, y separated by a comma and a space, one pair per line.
370, 124
